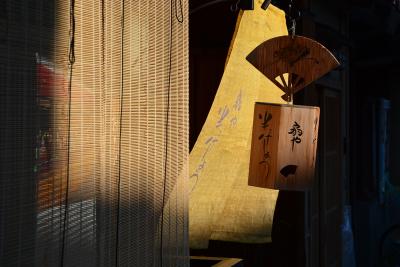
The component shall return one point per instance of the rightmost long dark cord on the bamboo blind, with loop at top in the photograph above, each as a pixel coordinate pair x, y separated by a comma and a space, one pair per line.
180, 20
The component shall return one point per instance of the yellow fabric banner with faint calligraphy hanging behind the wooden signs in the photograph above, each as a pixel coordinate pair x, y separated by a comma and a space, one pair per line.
221, 204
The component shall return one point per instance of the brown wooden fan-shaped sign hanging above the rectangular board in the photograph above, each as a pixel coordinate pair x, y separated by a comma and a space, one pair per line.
292, 62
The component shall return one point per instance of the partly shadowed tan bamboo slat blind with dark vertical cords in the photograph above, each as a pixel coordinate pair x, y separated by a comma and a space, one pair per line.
94, 133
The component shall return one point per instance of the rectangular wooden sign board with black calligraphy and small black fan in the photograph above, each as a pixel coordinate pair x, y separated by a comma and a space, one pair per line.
283, 148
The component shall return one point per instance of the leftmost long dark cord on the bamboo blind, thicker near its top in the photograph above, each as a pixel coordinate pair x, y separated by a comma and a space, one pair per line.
71, 59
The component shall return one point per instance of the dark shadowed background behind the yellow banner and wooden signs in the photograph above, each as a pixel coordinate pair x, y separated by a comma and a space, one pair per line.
365, 37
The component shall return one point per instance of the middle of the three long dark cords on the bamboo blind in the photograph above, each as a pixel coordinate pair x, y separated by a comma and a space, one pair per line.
120, 135
